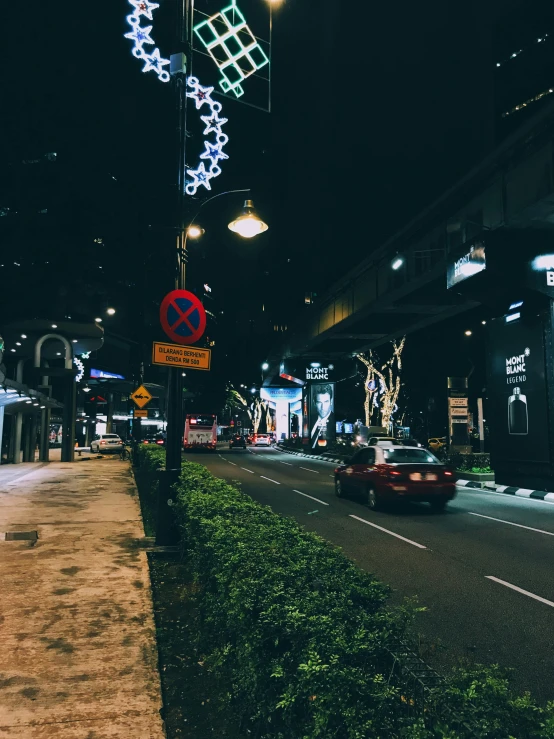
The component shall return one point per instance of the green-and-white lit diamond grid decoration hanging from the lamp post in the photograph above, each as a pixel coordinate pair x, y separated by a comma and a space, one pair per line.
232, 46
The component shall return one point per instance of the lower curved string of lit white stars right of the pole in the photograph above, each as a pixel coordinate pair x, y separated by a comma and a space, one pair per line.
213, 149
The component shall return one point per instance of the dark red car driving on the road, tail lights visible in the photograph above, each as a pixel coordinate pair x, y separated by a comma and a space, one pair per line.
380, 474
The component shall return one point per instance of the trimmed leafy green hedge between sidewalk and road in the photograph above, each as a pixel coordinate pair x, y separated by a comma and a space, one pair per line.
303, 637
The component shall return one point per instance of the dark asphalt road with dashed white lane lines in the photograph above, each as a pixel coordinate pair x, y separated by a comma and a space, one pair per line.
446, 559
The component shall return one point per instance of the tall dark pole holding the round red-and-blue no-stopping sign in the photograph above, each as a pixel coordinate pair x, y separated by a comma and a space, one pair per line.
167, 533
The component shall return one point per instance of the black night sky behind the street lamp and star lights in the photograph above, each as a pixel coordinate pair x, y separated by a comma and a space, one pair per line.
376, 110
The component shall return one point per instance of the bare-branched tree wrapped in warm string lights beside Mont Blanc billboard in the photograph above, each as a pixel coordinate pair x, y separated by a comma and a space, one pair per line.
382, 383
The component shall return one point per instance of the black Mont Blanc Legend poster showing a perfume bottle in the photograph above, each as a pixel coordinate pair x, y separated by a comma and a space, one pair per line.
517, 411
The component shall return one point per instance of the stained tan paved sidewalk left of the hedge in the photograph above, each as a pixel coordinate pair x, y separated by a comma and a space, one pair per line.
79, 657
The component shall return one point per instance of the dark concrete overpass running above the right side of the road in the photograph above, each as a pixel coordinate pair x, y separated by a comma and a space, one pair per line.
510, 191
